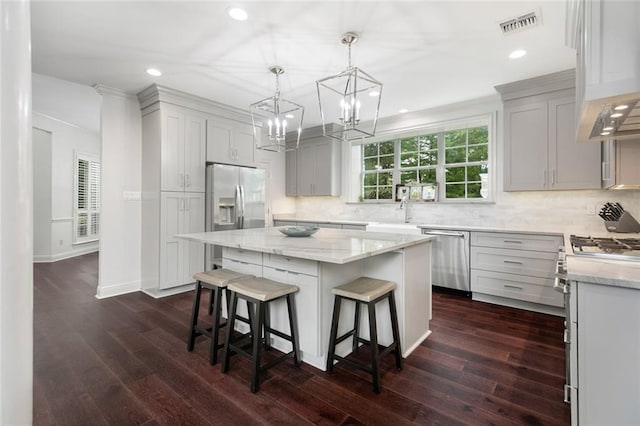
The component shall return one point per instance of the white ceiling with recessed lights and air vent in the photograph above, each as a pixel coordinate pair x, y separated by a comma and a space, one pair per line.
427, 53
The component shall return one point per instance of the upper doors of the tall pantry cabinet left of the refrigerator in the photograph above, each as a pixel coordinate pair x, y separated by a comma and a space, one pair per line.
183, 150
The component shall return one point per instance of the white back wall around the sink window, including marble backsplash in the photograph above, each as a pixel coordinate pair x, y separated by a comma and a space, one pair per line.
557, 211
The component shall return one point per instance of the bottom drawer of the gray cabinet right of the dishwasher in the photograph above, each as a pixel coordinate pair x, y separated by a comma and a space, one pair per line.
529, 289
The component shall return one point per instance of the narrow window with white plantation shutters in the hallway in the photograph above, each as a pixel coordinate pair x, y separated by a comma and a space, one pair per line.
86, 220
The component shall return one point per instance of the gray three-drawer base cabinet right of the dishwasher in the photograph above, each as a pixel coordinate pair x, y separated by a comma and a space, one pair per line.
515, 269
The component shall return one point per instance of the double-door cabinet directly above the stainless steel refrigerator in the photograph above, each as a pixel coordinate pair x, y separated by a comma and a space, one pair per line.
230, 142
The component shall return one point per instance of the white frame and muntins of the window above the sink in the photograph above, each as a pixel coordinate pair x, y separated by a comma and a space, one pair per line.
486, 119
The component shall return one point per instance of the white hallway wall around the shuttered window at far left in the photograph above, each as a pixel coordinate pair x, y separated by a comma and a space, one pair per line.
61, 108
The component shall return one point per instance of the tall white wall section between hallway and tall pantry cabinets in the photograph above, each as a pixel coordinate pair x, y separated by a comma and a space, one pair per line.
120, 241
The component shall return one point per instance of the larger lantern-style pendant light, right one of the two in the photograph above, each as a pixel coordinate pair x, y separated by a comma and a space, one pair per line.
349, 101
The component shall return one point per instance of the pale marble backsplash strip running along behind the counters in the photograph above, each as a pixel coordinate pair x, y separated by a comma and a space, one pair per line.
551, 211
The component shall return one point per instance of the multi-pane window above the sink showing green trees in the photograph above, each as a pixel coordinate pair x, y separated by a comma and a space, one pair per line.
456, 157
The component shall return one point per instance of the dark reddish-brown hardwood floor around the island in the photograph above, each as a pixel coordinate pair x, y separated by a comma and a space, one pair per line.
123, 360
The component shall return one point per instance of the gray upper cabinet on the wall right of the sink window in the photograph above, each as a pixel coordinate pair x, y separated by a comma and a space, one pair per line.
540, 147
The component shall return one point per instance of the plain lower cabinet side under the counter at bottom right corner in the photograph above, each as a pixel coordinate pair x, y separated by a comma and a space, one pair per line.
605, 349
